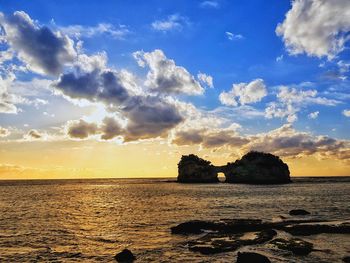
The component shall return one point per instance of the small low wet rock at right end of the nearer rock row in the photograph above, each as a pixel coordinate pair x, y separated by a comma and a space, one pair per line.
295, 245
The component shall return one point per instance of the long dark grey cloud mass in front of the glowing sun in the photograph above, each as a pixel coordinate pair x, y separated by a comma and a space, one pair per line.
146, 116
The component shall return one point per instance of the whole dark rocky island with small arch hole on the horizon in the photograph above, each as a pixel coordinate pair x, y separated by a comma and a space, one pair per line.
252, 168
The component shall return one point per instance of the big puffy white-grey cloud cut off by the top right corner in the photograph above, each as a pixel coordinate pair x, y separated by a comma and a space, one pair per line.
316, 27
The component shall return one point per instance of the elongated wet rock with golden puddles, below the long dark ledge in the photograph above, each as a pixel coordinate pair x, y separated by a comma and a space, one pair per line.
213, 243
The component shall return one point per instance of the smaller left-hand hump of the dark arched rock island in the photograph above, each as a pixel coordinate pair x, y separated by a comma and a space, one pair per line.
193, 169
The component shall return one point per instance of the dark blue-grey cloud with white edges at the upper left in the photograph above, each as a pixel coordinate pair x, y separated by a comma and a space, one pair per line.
43, 50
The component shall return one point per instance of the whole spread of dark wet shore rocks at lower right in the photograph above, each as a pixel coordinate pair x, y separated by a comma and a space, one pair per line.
233, 234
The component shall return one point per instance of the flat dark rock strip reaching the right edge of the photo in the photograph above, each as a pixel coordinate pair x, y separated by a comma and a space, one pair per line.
314, 229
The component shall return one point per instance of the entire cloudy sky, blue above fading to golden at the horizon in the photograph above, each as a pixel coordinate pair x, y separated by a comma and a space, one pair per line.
92, 89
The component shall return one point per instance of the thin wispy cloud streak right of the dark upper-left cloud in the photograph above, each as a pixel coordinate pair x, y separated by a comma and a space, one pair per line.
79, 31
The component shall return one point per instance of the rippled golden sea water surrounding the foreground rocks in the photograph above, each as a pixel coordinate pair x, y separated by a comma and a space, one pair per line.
92, 220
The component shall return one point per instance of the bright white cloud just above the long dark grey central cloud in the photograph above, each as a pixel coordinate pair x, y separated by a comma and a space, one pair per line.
165, 76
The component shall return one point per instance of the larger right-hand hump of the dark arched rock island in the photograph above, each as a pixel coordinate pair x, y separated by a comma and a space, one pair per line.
258, 168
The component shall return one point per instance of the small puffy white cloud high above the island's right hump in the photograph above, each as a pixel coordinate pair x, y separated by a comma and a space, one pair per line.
245, 93
